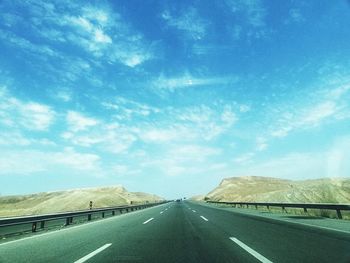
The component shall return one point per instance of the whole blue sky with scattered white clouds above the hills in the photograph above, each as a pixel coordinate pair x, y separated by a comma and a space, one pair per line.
170, 97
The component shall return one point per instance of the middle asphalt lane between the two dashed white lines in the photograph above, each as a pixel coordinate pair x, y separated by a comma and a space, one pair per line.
177, 236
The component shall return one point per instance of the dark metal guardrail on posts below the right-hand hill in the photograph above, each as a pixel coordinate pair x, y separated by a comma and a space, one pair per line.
336, 207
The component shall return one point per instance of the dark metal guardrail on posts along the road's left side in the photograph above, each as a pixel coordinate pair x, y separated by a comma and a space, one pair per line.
68, 216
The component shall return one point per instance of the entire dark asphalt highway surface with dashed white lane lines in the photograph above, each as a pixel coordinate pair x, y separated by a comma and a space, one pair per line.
181, 232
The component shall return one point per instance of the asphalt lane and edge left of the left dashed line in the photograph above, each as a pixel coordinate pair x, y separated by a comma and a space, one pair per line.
71, 244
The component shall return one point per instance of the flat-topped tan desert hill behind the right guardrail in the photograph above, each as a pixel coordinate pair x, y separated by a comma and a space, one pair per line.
268, 189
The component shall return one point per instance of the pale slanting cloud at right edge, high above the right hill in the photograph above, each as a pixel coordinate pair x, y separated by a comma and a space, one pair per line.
328, 104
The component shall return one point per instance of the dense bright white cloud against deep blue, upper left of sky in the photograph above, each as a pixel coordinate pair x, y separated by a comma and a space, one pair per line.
104, 34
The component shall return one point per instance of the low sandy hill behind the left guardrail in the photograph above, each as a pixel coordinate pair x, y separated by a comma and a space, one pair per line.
71, 200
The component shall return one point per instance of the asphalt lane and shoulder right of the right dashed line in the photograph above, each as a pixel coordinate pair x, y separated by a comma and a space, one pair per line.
279, 241
